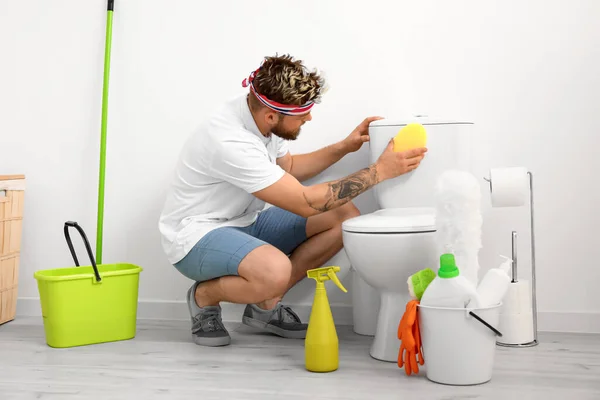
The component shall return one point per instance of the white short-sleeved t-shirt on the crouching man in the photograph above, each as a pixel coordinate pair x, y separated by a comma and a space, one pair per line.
222, 163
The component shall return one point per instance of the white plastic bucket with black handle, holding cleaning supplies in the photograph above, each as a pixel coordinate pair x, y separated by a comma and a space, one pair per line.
458, 348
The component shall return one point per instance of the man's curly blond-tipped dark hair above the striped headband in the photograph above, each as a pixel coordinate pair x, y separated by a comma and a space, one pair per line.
287, 81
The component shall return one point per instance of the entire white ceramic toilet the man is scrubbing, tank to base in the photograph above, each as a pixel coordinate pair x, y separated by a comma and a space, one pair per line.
387, 246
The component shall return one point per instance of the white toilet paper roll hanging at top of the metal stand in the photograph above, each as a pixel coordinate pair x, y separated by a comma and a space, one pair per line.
509, 186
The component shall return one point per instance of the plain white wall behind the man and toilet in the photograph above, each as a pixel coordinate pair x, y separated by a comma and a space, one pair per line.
525, 72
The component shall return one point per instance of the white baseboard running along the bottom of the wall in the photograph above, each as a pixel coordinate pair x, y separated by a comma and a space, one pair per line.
342, 313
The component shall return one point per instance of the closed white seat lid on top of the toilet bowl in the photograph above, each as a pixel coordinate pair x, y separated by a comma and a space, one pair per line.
393, 220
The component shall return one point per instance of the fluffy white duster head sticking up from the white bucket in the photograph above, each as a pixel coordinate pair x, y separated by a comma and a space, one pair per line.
458, 220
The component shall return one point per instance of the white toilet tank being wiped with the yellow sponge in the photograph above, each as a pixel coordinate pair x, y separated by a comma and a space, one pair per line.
449, 147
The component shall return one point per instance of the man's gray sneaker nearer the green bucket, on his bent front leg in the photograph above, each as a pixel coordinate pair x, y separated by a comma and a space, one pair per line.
207, 326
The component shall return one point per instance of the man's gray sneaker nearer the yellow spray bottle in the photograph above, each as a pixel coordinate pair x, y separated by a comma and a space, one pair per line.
281, 321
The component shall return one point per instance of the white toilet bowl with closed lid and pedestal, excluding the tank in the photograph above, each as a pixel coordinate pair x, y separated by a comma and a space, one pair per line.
386, 247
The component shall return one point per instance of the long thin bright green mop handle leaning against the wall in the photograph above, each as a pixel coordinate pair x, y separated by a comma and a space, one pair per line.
99, 233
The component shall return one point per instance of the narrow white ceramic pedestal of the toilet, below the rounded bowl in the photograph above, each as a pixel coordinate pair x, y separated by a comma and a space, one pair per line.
386, 345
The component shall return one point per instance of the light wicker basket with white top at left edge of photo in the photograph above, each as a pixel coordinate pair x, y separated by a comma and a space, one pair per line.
12, 192
